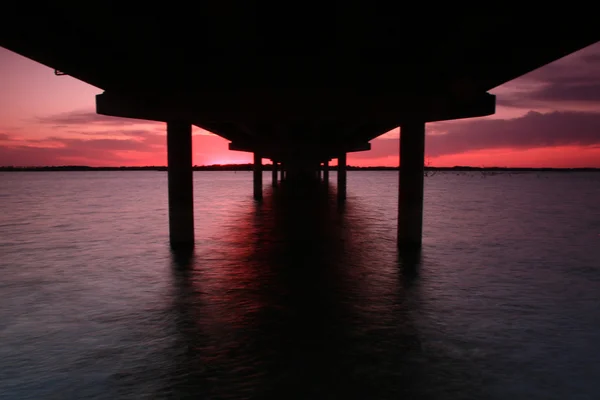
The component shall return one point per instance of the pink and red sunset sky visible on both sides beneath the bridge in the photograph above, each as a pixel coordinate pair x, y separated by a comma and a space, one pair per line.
547, 118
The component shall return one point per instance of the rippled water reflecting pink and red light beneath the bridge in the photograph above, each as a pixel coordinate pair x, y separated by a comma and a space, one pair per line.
297, 298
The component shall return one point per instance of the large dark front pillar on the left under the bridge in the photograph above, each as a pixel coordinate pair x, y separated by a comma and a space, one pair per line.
181, 187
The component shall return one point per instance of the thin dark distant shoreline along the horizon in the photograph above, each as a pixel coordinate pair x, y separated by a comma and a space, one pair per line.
249, 167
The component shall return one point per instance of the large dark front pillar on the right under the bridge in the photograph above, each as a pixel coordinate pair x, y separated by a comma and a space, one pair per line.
410, 198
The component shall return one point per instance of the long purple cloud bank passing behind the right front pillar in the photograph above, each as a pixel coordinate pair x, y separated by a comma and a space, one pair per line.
534, 130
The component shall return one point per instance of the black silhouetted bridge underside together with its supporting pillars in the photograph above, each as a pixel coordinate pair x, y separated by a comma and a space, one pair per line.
297, 86
